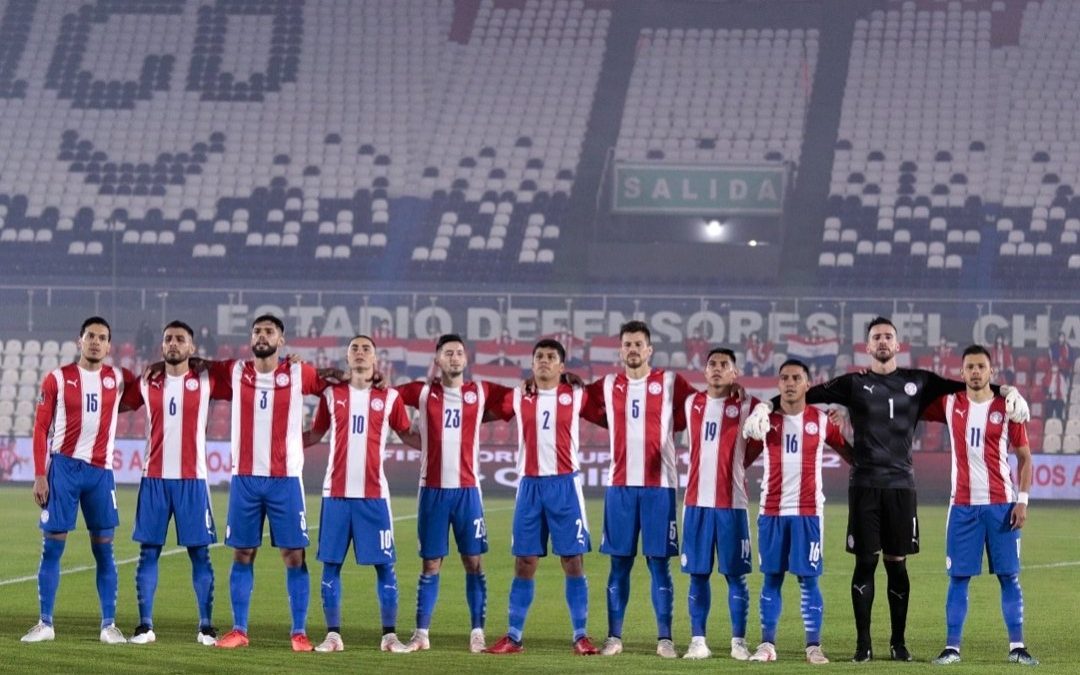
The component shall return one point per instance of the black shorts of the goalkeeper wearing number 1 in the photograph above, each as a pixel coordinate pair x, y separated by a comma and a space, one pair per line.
883, 520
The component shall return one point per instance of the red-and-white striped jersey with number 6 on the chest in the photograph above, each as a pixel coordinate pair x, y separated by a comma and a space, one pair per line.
177, 412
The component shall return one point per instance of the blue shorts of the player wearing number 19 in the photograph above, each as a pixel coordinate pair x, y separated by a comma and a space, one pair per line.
724, 532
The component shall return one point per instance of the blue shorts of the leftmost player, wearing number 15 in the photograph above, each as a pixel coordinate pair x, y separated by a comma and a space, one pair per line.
74, 483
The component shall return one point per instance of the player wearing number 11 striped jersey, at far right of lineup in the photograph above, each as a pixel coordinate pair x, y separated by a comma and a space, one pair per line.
984, 509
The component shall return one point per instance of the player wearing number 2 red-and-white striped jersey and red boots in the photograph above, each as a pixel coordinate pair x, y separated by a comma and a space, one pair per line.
549, 494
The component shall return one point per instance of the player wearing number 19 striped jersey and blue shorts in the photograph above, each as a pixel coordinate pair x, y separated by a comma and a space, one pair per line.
714, 508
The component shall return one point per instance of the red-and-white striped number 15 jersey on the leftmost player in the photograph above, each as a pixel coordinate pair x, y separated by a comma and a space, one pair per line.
77, 414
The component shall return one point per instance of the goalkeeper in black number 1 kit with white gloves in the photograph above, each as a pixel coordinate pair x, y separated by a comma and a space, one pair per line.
886, 404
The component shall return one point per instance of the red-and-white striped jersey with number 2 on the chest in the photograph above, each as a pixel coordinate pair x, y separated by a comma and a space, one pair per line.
548, 429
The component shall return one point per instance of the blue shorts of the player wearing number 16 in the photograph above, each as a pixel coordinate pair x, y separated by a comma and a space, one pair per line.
790, 544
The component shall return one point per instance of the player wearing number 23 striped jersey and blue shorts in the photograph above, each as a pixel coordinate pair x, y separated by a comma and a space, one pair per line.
452, 412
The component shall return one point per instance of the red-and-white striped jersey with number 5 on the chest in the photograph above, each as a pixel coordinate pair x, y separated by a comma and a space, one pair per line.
641, 421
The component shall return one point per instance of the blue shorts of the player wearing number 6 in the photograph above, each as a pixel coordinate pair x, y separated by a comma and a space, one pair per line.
185, 499
